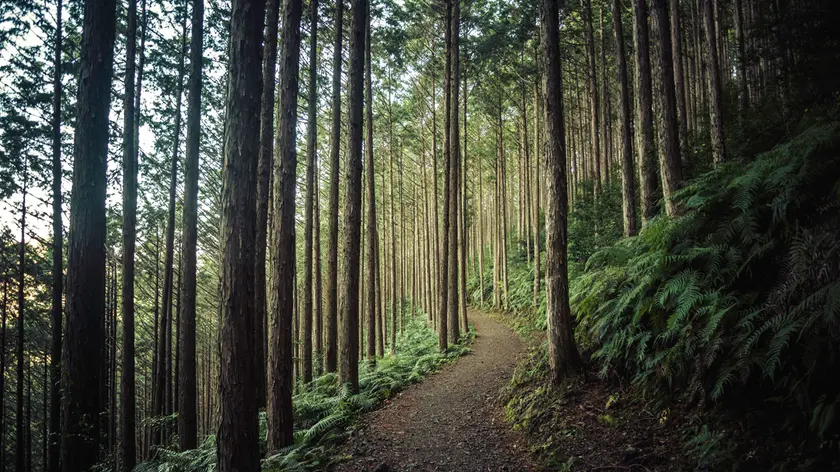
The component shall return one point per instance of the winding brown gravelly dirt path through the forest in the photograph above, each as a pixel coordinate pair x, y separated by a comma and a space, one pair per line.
451, 421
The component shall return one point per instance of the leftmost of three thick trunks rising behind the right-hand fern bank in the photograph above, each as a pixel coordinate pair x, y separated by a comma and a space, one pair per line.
628, 185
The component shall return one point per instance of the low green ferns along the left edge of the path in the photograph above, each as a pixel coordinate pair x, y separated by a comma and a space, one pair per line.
325, 414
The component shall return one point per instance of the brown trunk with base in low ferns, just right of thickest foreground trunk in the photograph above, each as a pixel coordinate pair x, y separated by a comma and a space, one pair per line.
280, 356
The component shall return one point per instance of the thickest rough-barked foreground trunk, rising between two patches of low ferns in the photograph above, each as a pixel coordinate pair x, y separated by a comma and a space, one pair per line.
238, 446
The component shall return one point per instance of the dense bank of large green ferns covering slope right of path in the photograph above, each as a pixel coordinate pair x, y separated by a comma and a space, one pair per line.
736, 303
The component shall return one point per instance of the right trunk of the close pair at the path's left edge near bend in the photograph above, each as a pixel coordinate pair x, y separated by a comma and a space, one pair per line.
454, 167
